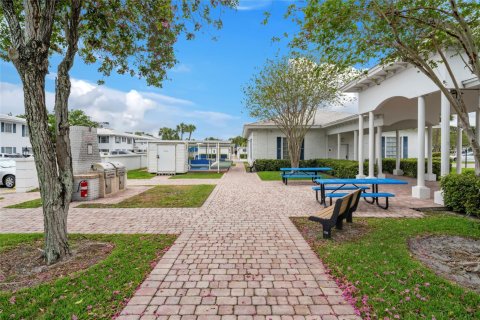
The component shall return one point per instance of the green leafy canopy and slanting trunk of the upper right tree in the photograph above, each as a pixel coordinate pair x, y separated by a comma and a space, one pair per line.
425, 33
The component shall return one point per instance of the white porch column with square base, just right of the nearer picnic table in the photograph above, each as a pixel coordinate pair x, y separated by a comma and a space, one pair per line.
420, 190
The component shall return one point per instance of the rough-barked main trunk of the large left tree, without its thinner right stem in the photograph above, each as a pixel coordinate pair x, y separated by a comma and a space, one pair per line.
54, 193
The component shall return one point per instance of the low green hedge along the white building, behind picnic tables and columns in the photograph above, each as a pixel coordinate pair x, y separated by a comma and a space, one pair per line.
347, 168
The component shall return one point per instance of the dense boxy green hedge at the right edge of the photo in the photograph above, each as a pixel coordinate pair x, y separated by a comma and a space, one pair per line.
461, 193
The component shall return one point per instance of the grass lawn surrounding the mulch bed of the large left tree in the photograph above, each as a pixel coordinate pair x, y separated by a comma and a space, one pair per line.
95, 293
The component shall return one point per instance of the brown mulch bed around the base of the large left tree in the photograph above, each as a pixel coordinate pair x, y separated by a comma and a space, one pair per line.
22, 266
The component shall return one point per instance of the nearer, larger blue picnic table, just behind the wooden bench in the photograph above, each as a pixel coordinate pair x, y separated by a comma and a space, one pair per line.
358, 183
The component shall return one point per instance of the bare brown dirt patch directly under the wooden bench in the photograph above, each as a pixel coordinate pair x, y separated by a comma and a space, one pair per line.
313, 231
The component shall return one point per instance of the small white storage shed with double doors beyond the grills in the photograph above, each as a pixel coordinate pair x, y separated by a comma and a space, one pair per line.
167, 157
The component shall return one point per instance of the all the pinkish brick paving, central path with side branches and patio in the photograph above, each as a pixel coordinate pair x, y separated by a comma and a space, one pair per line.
237, 257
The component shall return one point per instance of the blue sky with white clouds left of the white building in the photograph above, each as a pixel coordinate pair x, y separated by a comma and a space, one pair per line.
205, 88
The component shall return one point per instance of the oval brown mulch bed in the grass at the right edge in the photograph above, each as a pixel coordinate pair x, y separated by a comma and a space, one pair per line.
452, 257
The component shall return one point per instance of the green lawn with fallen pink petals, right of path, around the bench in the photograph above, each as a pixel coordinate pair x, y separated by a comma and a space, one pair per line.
380, 265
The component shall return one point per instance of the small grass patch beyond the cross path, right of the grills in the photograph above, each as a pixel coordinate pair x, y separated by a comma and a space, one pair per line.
191, 196
